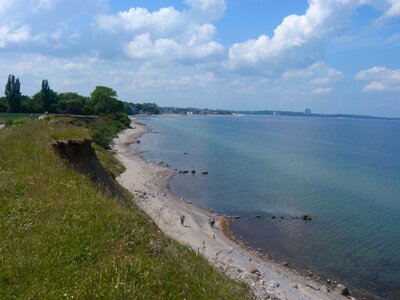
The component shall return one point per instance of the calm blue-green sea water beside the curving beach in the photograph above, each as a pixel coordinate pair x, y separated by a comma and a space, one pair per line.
344, 173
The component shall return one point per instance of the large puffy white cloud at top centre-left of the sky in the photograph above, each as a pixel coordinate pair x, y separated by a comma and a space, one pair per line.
167, 35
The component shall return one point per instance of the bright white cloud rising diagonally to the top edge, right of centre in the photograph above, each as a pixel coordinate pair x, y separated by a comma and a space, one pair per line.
297, 40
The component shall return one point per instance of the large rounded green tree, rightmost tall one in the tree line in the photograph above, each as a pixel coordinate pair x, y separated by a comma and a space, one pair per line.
104, 100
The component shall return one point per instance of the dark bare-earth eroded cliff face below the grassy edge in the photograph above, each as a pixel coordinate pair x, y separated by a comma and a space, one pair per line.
82, 157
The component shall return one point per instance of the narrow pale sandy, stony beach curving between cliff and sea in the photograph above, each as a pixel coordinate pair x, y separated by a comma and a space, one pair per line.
148, 183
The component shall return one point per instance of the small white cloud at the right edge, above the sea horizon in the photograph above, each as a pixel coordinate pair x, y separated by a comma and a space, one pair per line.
381, 79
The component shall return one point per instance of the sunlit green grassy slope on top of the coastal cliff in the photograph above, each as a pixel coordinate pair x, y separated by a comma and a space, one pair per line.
62, 237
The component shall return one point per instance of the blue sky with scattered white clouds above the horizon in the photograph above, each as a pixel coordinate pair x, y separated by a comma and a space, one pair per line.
332, 56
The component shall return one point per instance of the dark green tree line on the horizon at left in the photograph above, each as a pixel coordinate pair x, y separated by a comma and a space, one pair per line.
103, 100
